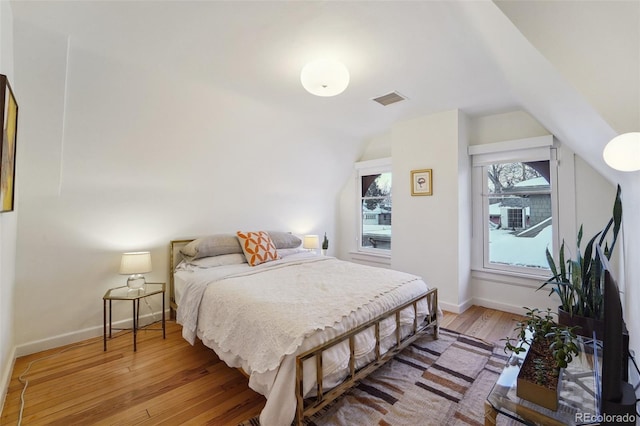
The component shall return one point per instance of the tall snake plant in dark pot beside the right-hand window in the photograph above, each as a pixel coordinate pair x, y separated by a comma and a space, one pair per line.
578, 282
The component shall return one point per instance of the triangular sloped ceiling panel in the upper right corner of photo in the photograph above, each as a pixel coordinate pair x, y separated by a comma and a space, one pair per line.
595, 46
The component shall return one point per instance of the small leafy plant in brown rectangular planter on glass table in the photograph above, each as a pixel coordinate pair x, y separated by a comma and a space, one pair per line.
549, 348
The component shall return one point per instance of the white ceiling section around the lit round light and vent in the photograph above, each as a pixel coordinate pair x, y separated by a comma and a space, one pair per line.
258, 49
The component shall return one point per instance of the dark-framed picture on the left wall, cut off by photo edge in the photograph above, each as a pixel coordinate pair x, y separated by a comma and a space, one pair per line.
9, 116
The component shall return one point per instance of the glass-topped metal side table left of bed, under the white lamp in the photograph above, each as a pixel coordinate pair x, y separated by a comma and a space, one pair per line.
133, 295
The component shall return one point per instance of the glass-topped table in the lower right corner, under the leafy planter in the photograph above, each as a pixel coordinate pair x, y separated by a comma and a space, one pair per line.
578, 404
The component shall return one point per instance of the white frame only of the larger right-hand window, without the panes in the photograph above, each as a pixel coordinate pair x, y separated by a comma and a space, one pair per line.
522, 150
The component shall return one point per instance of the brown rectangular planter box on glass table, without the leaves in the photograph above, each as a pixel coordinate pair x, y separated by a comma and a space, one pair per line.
544, 395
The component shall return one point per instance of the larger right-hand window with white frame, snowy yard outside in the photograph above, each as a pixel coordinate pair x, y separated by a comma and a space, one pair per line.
514, 208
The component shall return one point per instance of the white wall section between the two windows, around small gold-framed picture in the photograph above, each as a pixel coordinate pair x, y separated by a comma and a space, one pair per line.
428, 230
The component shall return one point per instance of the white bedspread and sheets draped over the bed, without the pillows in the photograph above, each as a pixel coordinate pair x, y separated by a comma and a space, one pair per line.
258, 318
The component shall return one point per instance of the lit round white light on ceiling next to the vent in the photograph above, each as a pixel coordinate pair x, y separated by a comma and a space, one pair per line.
325, 77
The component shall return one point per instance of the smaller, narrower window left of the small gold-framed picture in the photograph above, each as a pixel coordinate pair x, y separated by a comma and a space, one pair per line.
374, 206
